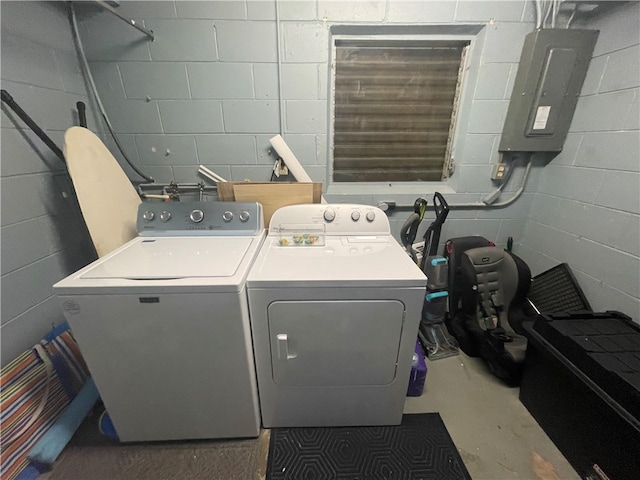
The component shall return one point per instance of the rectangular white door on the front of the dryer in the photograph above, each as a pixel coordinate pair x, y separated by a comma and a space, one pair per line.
335, 342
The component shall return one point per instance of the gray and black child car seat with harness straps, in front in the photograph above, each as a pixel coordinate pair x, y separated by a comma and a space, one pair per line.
493, 283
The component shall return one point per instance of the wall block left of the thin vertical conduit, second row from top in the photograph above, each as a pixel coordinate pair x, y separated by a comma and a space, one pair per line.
246, 41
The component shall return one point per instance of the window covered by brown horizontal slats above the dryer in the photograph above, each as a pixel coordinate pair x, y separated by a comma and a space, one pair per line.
394, 108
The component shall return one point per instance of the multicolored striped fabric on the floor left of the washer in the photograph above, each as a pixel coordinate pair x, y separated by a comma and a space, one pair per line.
34, 393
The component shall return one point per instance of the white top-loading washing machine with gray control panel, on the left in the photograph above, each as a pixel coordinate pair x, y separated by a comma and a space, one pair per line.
163, 323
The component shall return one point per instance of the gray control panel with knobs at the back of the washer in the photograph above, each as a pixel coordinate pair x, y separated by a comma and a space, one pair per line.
199, 218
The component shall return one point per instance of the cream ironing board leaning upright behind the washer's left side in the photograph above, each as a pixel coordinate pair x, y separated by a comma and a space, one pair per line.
107, 198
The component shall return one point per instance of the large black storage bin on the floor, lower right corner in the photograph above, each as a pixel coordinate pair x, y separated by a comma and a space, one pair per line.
581, 383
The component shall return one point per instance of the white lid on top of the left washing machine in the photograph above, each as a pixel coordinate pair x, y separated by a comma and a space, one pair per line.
174, 257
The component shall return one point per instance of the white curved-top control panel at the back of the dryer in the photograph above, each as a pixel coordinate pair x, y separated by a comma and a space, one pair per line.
337, 219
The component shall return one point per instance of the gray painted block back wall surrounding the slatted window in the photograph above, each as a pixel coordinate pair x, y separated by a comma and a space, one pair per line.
207, 90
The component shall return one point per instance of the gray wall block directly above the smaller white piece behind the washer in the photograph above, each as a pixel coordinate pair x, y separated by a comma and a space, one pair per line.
226, 149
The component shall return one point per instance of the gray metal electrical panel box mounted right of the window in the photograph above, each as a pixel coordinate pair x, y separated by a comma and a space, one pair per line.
550, 75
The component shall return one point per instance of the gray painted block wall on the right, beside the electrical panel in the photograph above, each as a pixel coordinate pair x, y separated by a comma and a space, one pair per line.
586, 211
